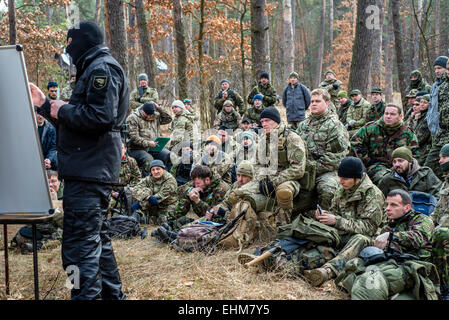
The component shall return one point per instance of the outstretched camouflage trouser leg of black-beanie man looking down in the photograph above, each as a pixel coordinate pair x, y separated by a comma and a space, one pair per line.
353, 244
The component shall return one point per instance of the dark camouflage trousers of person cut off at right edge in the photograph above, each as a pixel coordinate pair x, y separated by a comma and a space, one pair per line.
440, 253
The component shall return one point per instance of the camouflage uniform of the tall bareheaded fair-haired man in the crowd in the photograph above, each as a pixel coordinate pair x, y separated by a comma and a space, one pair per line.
327, 142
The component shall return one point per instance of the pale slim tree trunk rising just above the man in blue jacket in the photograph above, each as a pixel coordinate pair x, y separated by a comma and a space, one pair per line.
288, 45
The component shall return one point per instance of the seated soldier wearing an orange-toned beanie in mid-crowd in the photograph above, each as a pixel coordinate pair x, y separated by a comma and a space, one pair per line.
218, 161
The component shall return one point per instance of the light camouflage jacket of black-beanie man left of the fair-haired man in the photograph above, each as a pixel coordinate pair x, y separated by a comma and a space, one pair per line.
284, 159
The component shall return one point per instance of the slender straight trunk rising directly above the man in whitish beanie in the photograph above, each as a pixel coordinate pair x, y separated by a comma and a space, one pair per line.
180, 49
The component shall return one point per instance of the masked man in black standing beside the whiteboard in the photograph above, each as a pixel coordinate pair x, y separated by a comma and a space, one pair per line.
89, 153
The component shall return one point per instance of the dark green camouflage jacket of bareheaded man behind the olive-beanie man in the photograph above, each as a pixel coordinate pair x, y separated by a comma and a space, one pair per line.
372, 144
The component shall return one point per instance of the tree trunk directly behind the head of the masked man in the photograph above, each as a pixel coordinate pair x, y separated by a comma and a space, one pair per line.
116, 23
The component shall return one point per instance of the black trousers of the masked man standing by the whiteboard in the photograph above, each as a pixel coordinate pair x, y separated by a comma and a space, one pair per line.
86, 246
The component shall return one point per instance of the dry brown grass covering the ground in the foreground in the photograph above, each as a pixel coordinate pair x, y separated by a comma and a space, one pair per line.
150, 270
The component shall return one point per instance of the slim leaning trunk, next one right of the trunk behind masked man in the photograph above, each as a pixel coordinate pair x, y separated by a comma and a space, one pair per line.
145, 42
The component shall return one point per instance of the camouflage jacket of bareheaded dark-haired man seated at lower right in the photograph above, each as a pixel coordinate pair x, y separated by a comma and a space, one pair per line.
412, 234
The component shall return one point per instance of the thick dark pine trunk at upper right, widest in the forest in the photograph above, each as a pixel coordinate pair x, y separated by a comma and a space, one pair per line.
362, 48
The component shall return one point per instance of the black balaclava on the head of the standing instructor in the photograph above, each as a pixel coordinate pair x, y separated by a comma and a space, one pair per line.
85, 35
